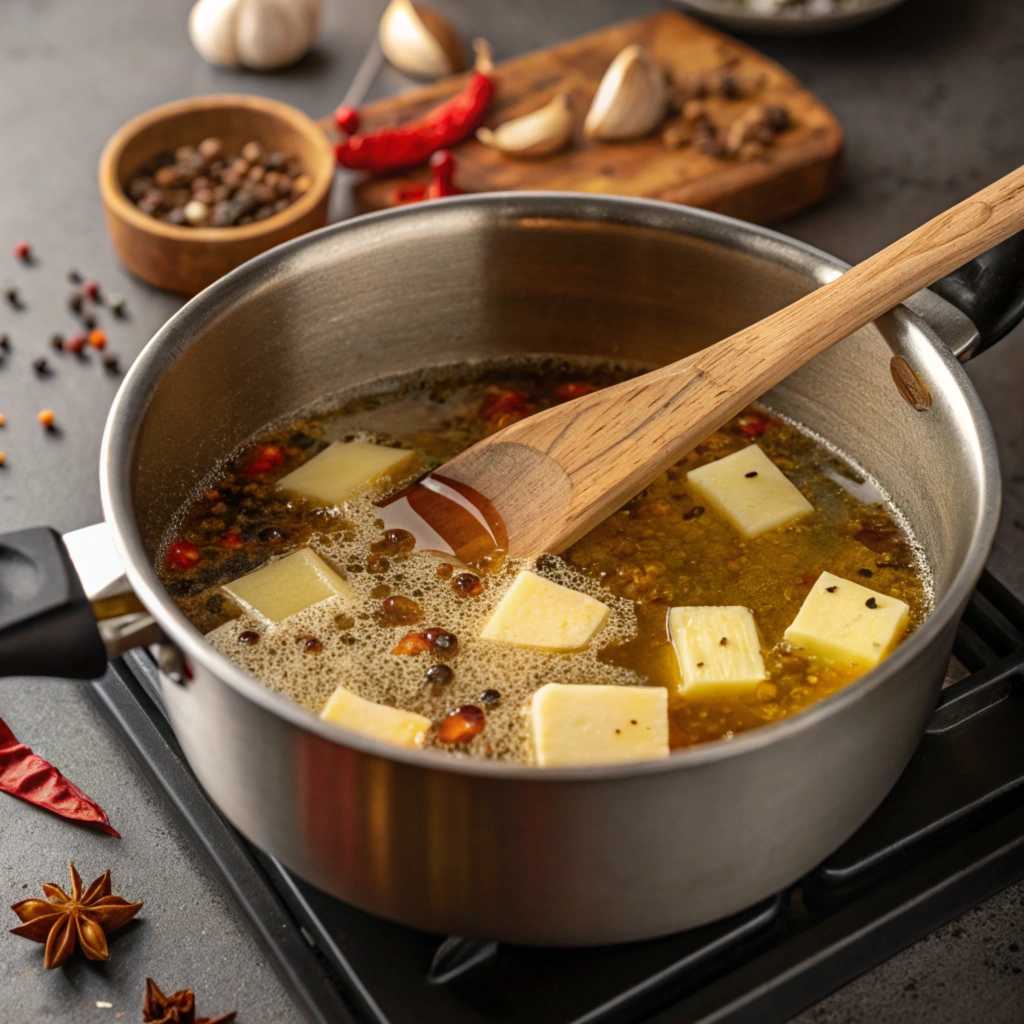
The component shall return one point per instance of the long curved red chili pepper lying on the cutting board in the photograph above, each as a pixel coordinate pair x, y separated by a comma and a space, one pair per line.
413, 144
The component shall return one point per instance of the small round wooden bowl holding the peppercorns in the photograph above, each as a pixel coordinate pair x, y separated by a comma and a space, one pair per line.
187, 260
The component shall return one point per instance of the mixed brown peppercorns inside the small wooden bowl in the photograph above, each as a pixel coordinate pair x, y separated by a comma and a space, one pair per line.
201, 187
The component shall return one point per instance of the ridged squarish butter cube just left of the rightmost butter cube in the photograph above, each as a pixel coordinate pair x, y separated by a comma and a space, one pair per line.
718, 650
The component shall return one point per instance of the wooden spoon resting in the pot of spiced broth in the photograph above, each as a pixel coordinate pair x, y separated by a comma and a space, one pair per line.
556, 476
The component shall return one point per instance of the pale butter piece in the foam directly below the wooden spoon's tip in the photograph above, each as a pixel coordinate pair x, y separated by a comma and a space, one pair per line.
537, 613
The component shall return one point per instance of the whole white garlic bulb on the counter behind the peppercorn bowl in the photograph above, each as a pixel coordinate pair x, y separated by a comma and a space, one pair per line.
260, 34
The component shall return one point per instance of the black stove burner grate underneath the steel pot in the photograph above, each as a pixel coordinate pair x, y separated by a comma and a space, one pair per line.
950, 835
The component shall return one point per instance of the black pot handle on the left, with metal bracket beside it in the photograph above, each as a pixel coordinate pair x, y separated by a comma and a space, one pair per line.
48, 626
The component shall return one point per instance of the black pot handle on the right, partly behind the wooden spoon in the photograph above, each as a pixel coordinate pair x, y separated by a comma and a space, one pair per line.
990, 290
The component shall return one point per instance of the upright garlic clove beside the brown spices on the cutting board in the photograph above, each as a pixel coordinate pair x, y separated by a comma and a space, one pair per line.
631, 100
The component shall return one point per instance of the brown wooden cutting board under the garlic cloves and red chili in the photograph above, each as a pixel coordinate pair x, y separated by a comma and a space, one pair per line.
799, 169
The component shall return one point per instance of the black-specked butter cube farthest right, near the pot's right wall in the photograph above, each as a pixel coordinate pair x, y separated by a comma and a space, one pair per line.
846, 625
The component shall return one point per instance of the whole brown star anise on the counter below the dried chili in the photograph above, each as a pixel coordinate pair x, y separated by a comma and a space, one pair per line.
62, 921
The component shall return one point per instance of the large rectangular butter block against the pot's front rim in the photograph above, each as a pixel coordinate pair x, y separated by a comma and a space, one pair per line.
593, 726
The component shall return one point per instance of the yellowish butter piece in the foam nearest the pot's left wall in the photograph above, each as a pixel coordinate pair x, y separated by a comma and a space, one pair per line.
288, 586
